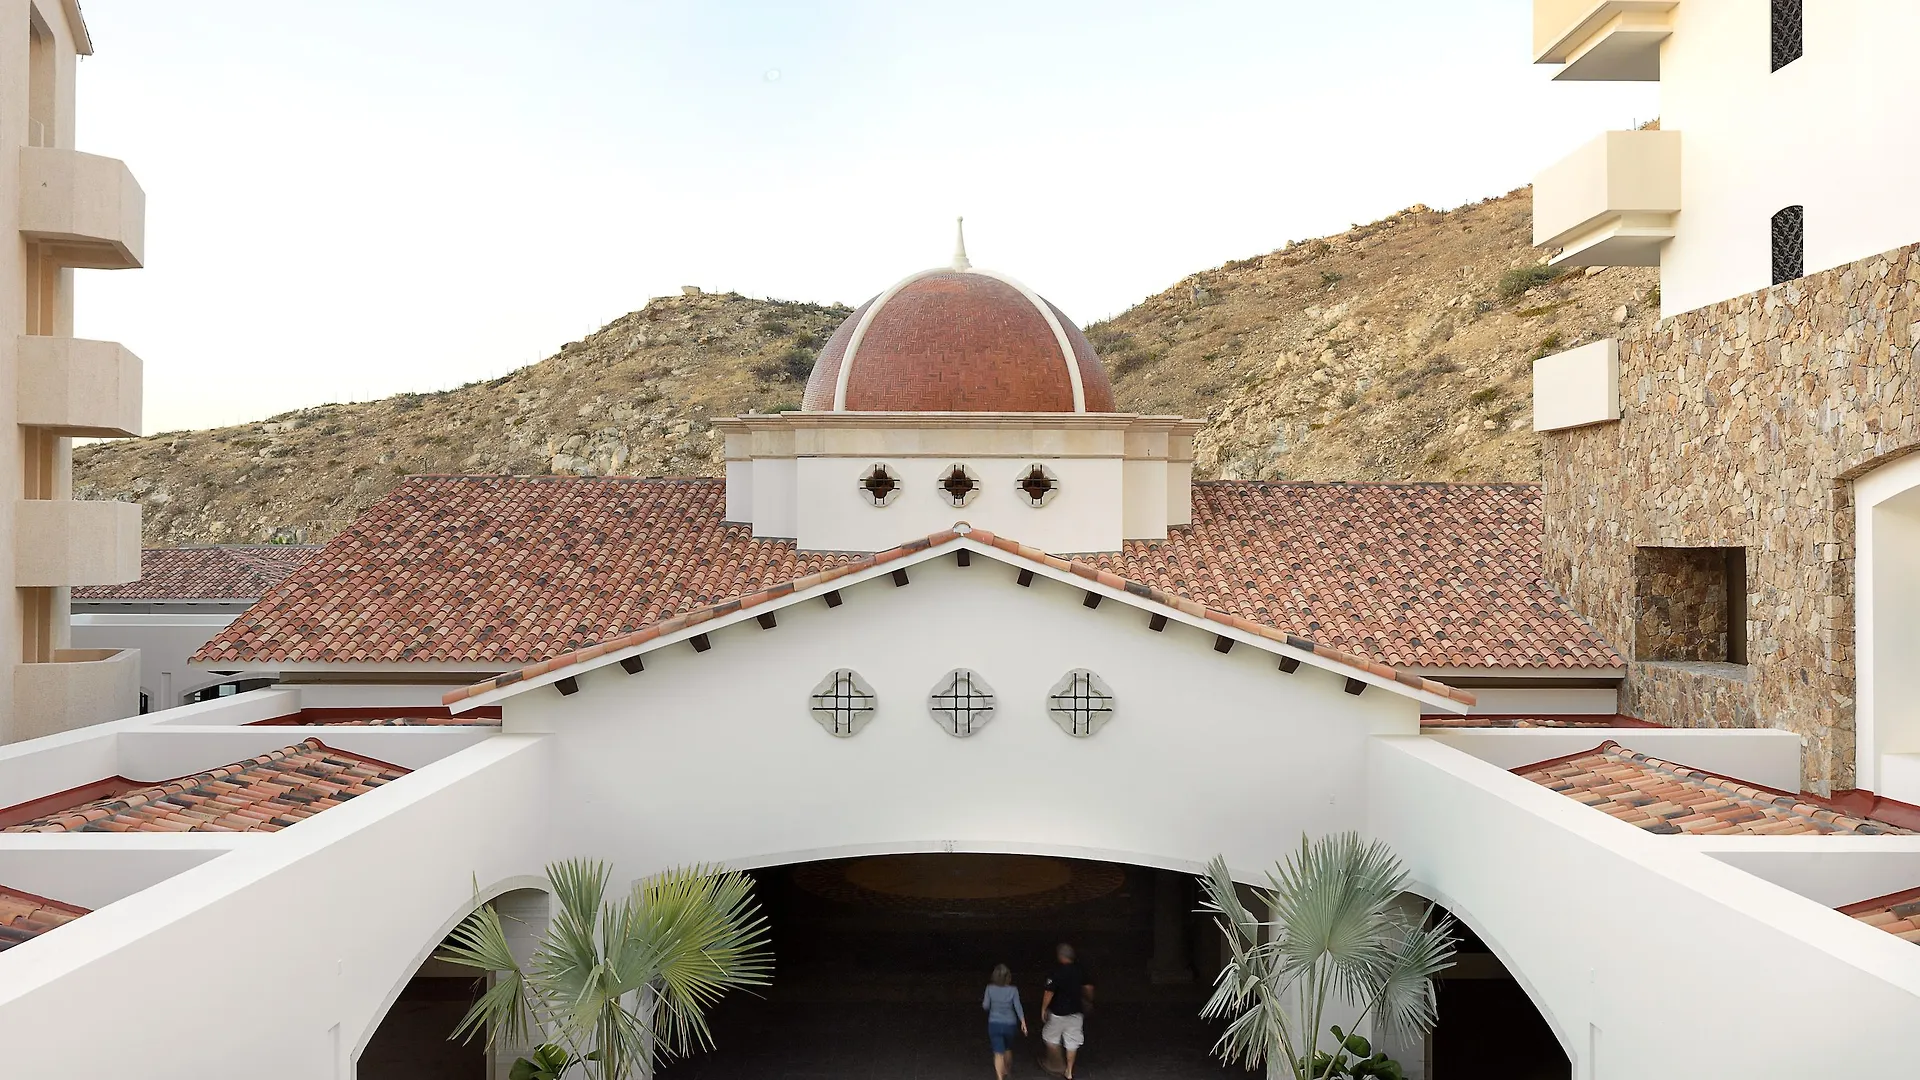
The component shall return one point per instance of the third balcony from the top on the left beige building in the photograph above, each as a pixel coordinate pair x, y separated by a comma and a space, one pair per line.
76, 543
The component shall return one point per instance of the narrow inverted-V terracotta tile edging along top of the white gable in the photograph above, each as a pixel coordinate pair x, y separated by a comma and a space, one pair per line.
980, 535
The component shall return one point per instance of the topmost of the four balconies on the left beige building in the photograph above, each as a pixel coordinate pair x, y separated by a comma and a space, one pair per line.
85, 210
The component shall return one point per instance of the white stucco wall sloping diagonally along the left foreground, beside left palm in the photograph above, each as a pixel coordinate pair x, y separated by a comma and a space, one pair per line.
312, 921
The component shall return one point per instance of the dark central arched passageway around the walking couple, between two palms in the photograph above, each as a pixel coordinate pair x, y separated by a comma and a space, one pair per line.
882, 964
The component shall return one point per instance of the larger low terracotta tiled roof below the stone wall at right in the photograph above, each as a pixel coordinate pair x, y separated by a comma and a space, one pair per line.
1669, 798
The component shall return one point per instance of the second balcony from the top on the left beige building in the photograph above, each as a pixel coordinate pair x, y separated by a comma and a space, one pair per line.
76, 387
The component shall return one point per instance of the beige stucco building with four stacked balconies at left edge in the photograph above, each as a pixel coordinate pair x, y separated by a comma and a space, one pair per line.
70, 212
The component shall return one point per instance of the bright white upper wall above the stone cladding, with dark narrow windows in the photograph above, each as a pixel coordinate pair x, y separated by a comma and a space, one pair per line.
1825, 132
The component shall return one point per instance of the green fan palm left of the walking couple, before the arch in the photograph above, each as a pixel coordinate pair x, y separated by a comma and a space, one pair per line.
615, 987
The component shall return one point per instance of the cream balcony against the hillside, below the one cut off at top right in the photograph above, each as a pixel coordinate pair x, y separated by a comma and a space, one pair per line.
1612, 203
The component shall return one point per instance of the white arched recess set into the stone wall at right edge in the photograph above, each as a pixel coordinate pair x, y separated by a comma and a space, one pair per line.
1886, 627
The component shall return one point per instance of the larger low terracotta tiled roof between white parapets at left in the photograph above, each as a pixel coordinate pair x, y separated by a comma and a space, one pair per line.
262, 795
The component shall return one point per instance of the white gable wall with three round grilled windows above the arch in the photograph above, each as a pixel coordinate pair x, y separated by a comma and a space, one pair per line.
717, 758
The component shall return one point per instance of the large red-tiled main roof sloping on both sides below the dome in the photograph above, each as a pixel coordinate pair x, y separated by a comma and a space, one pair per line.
516, 570
